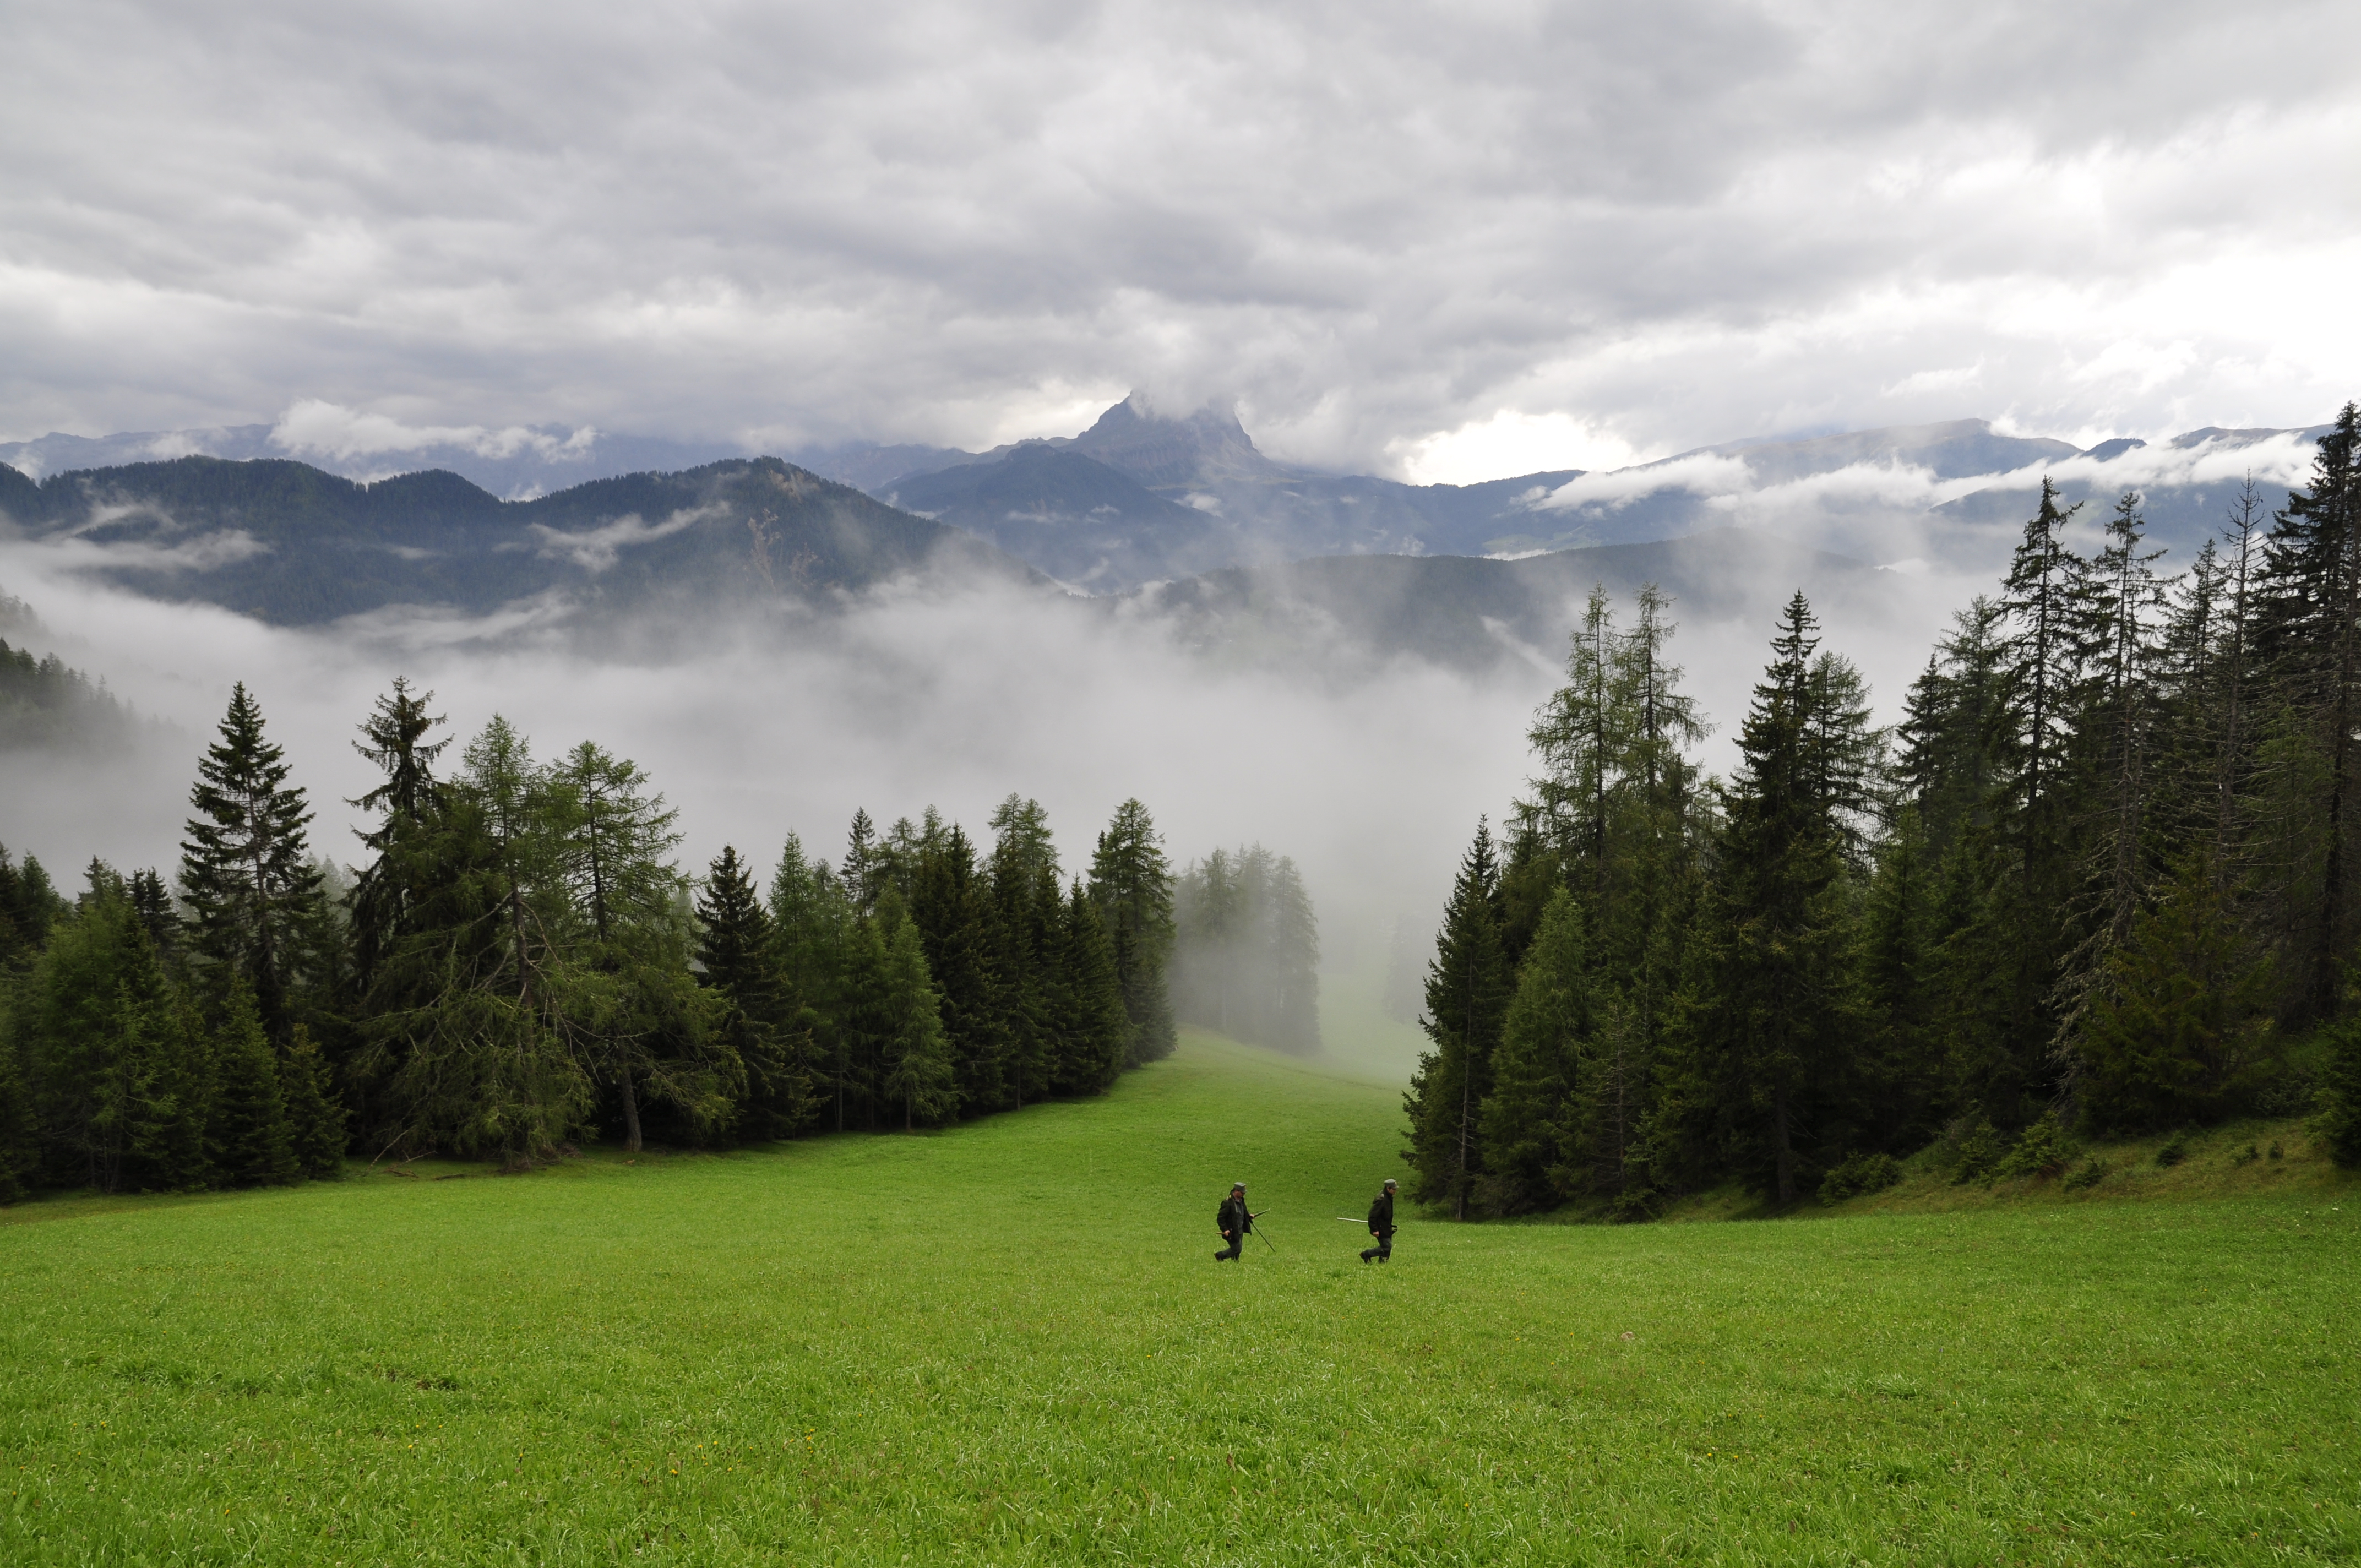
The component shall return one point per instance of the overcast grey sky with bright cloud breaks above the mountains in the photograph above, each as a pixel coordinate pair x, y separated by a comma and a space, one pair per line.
1439, 242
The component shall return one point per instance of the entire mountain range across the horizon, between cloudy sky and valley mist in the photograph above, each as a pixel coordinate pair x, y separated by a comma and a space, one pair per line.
1172, 518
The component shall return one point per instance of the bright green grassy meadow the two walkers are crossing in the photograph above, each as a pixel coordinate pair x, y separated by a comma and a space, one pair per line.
1009, 1345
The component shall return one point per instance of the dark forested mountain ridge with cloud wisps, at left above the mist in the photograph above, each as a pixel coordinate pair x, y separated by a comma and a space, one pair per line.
292, 544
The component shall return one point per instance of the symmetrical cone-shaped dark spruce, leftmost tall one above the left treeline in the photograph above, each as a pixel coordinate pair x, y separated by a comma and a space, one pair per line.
247, 868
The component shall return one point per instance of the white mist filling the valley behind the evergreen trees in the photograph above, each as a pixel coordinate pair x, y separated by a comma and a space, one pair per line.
1366, 766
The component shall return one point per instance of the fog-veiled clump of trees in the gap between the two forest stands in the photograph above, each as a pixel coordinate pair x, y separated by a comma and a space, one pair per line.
1248, 958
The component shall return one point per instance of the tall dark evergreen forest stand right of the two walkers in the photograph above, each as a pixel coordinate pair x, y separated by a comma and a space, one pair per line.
2102, 877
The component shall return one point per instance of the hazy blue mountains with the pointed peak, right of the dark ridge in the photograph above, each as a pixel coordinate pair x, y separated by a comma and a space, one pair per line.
1139, 497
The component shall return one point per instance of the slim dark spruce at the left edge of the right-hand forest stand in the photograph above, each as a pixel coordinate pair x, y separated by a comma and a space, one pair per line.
1467, 991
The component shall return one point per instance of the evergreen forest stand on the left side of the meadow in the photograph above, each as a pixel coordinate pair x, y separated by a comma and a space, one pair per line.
521, 965
